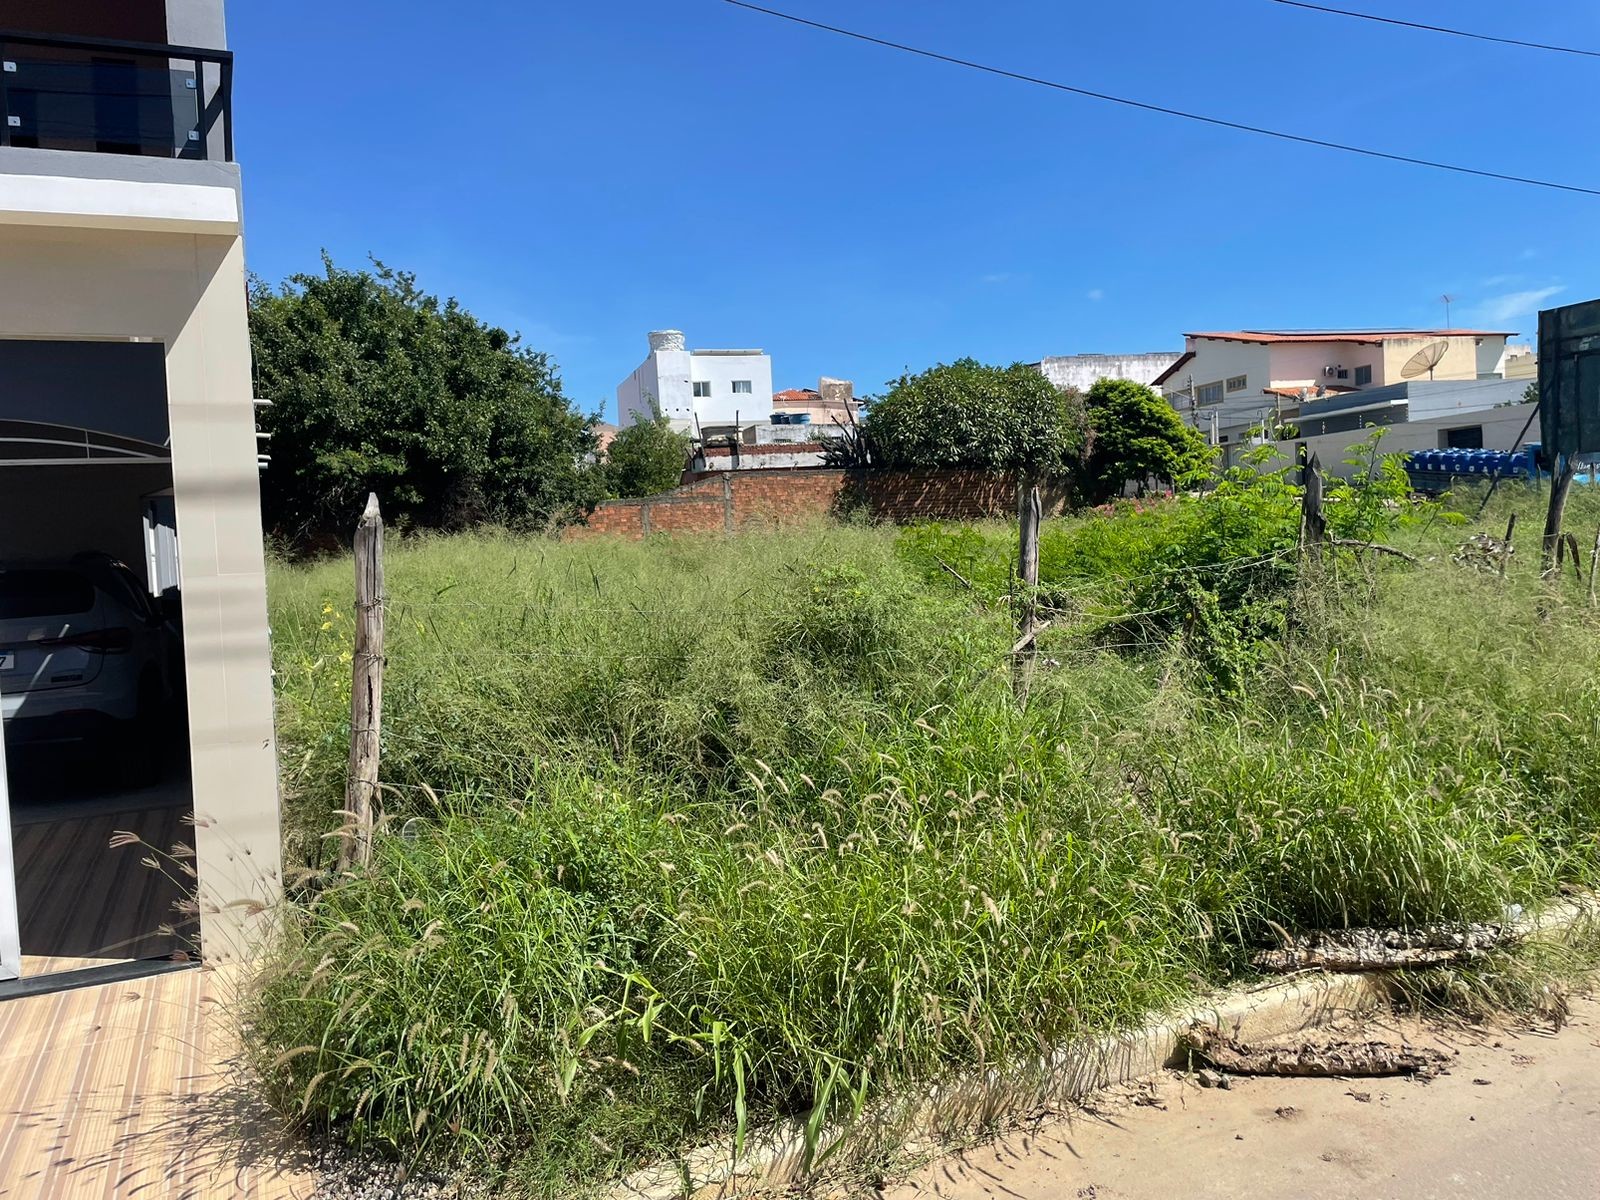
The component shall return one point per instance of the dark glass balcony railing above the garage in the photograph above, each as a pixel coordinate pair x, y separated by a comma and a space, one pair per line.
116, 97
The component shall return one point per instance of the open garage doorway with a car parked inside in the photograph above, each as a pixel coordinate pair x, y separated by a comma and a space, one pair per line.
92, 665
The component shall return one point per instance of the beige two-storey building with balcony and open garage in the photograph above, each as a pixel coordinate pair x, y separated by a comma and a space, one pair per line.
134, 630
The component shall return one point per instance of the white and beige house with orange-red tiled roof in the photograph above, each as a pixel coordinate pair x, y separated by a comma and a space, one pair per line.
1231, 382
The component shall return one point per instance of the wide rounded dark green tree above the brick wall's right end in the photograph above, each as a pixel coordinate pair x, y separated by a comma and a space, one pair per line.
970, 415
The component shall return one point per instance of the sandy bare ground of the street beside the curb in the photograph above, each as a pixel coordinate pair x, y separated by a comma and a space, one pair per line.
1516, 1118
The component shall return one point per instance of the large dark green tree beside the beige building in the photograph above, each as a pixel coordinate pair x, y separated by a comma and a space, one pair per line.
378, 386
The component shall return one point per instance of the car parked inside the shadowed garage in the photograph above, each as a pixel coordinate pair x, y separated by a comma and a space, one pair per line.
87, 657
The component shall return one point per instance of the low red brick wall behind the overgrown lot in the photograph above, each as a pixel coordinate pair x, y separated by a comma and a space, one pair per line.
729, 500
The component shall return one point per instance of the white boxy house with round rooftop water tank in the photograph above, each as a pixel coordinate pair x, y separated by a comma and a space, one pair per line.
687, 386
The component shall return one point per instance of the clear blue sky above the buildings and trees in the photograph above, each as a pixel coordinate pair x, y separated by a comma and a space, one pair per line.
588, 172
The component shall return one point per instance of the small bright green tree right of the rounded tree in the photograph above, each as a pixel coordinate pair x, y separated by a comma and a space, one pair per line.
1135, 438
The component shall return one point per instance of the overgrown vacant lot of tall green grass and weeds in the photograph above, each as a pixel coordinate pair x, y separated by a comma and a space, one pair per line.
692, 833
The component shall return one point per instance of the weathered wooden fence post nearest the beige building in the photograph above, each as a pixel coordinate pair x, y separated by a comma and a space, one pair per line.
367, 689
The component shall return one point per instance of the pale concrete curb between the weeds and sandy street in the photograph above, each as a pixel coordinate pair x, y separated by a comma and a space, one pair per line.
969, 1103
